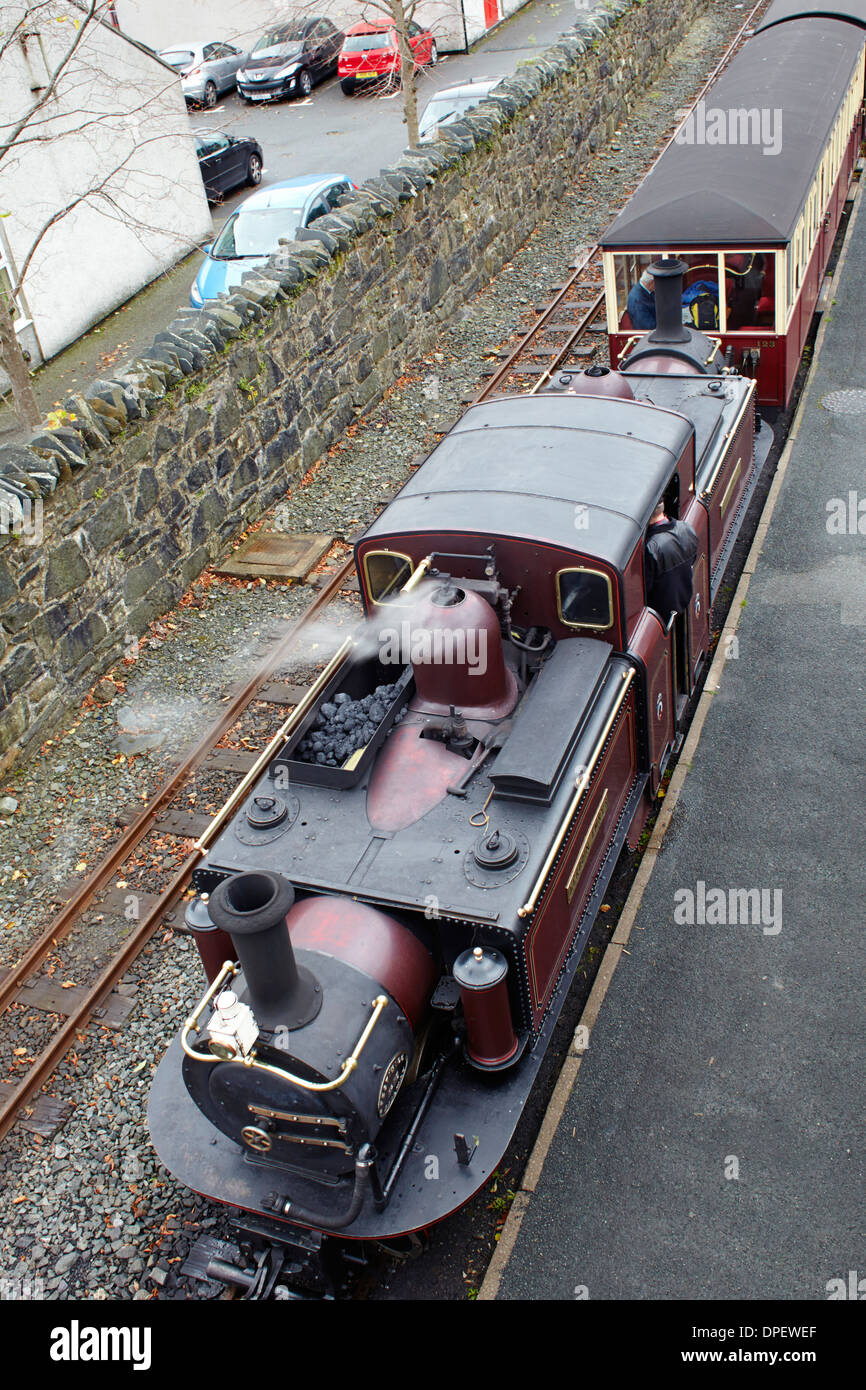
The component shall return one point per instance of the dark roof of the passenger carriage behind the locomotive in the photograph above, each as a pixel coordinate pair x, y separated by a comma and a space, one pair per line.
736, 195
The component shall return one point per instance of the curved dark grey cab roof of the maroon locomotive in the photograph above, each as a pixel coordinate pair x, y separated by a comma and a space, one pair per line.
523, 466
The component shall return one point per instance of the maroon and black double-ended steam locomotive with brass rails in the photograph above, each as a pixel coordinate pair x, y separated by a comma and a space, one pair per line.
391, 922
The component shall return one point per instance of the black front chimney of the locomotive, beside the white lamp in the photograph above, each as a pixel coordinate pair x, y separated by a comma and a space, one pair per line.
252, 908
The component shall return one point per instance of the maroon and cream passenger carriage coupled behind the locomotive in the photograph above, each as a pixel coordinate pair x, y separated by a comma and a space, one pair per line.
750, 195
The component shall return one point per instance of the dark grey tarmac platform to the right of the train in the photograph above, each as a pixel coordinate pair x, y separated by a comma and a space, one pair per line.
739, 1049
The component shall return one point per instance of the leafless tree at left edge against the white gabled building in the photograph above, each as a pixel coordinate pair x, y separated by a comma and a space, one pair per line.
74, 104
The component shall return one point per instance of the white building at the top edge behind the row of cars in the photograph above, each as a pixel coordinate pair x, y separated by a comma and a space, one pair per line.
163, 23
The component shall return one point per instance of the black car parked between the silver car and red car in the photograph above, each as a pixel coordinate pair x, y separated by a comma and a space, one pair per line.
290, 59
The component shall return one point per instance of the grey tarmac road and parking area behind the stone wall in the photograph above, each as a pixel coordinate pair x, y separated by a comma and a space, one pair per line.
329, 133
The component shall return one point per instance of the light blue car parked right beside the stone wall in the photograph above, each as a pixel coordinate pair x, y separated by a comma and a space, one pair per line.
263, 220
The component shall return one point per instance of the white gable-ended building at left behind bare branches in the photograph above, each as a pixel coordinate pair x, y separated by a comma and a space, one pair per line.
101, 193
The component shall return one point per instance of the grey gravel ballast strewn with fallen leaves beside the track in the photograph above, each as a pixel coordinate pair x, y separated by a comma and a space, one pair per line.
91, 1213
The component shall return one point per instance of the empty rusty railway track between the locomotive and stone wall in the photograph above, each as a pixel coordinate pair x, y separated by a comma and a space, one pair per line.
566, 332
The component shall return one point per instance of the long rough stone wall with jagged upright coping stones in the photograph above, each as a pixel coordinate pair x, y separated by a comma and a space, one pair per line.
156, 471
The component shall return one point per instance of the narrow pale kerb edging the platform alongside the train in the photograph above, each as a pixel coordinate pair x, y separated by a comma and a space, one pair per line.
571, 1068
